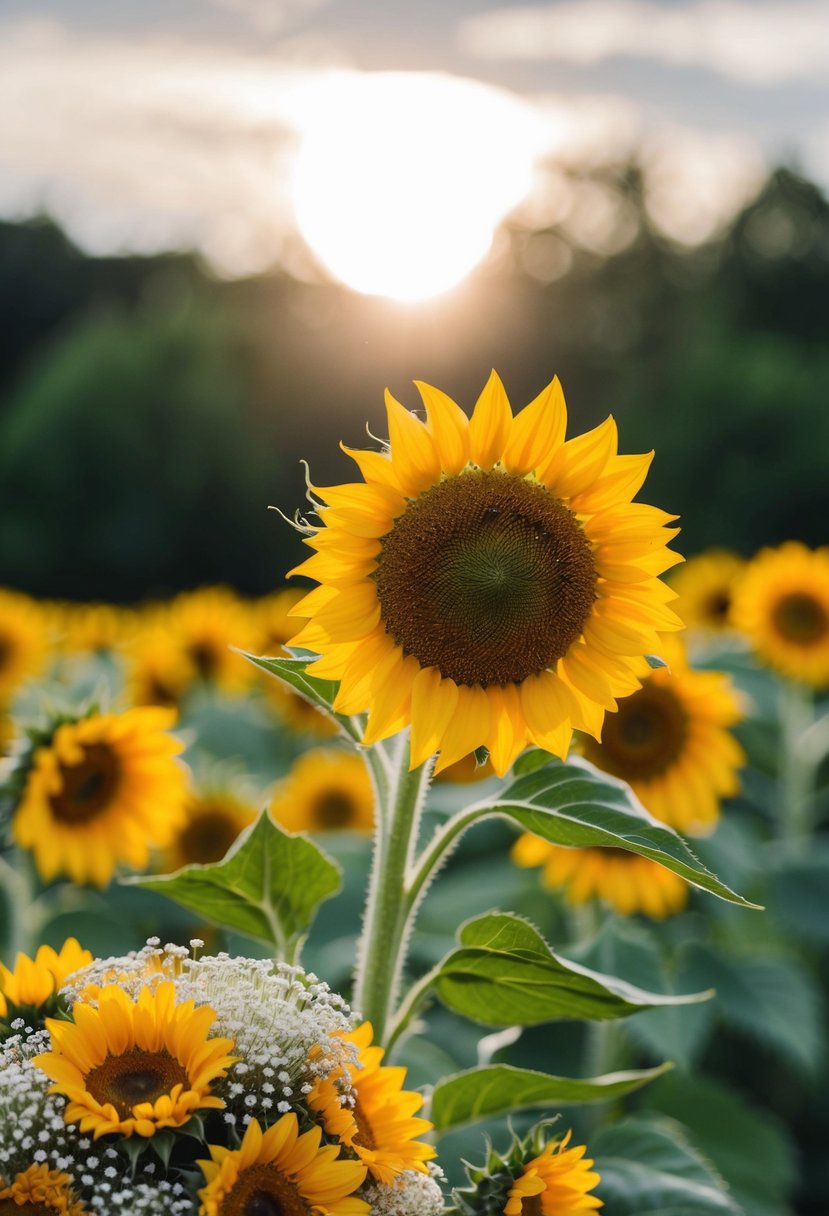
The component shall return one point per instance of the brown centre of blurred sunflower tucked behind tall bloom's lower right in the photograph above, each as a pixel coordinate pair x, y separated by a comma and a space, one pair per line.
645, 738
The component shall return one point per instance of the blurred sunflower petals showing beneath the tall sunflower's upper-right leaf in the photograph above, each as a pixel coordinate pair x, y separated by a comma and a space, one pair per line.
623, 880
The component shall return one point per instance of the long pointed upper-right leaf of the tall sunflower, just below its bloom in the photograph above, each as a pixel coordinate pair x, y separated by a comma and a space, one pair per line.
574, 804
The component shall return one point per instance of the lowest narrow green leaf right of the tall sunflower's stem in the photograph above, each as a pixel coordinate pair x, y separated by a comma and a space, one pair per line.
500, 1089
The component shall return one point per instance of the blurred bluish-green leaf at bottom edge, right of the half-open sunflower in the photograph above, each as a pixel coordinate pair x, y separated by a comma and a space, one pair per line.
650, 1168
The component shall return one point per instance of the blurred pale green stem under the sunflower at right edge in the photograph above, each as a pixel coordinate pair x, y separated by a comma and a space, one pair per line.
797, 773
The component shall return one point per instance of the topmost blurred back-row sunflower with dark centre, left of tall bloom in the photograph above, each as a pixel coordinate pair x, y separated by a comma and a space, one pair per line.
206, 624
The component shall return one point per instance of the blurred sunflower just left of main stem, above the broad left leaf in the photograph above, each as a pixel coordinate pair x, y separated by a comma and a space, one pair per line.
326, 790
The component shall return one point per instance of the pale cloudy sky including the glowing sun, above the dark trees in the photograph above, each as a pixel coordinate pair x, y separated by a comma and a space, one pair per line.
392, 138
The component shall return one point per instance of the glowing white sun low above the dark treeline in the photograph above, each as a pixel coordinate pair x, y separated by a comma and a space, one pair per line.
403, 178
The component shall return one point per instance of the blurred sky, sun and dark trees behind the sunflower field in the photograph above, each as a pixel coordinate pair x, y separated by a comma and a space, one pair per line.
227, 226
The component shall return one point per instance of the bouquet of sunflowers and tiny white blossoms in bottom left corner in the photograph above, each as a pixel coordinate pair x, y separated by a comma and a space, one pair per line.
166, 1082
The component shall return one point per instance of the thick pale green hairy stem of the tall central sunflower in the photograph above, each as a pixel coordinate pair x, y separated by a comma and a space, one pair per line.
382, 954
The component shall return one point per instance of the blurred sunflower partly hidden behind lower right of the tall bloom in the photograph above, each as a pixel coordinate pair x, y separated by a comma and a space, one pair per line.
672, 742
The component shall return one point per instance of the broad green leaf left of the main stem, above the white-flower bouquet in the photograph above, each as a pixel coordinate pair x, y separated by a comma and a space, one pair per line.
269, 886
